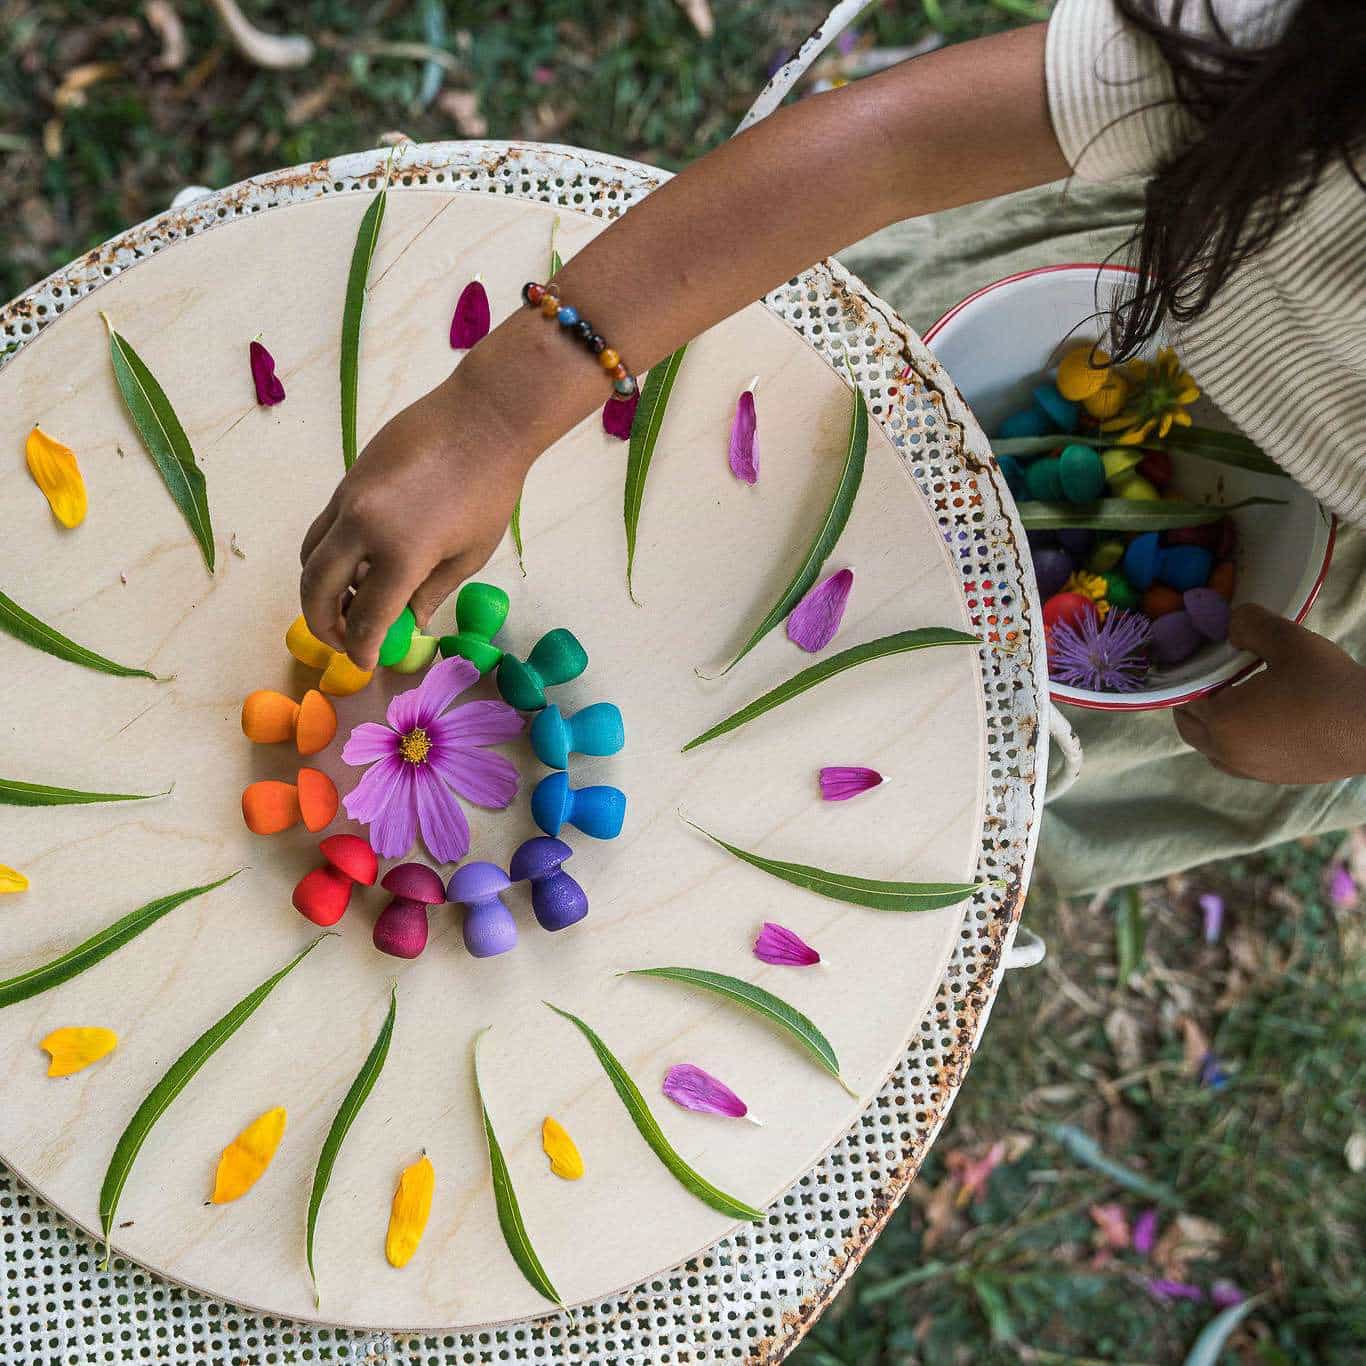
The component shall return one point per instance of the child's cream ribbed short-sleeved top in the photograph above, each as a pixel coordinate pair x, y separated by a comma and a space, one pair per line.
1283, 348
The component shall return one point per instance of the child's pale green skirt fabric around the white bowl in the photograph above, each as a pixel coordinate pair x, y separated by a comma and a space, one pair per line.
1145, 805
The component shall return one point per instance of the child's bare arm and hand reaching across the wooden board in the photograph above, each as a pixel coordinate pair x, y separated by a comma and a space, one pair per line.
431, 498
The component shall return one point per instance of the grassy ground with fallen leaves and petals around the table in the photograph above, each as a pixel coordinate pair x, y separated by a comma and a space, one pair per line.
1141, 1068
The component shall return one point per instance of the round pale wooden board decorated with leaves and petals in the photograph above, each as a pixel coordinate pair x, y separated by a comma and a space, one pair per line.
712, 557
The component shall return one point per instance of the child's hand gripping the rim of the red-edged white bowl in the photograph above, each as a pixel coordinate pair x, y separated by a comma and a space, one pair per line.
1300, 721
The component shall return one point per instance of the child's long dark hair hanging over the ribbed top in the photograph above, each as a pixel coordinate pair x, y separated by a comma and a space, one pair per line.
1268, 124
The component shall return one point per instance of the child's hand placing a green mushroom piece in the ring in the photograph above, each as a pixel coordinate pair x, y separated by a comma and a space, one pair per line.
420, 512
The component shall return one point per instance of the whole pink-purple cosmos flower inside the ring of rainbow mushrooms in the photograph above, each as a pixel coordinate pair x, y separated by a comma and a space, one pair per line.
421, 755
